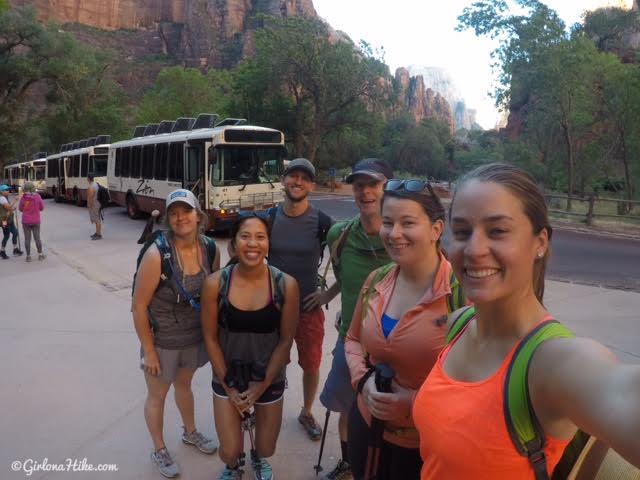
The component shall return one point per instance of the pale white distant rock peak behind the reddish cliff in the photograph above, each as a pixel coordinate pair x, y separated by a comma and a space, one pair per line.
439, 80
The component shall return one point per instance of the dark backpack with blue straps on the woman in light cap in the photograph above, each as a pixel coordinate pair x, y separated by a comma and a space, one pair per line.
167, 276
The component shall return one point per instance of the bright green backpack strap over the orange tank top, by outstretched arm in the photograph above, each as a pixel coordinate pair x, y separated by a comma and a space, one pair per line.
524, 428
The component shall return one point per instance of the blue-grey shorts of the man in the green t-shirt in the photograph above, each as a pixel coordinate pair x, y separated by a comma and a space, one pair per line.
338, 395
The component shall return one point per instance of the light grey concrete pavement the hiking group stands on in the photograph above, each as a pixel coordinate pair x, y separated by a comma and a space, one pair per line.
72, 389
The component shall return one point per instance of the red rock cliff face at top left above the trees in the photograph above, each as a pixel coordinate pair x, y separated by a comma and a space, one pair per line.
198, 33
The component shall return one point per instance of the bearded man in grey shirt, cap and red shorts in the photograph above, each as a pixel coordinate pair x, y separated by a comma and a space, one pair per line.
297, 239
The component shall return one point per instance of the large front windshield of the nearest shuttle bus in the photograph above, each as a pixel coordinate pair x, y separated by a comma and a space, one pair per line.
245, 165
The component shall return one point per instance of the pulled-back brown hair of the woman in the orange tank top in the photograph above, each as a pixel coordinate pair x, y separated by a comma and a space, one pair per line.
524, 188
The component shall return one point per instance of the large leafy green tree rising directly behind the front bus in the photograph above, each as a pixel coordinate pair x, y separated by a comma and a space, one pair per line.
317, 83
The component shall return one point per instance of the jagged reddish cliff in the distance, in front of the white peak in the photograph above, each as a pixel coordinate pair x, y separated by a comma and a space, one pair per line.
422, 102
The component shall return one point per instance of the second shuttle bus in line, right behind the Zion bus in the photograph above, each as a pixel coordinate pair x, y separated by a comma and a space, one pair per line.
67, 170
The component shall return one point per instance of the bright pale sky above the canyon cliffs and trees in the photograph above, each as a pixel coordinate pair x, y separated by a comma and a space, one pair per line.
422, 32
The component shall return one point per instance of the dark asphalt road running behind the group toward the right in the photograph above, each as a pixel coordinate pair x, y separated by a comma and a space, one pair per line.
576, 257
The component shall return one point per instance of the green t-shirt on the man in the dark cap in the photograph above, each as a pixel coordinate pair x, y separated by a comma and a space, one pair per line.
360, 255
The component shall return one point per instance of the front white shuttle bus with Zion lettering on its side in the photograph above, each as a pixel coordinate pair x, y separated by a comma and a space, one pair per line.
229, 166
